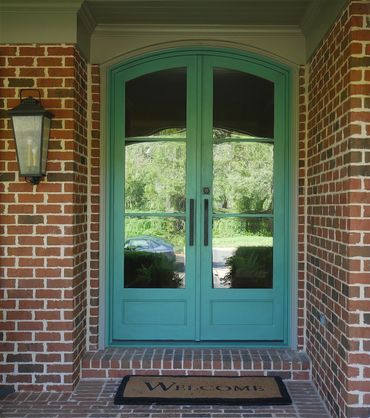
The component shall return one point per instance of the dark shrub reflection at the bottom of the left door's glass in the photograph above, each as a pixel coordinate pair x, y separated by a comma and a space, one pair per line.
150, 270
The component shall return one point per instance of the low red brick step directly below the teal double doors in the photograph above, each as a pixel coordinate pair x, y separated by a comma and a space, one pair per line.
113, 363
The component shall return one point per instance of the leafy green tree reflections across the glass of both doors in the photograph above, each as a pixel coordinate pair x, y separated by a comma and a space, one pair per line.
155, 182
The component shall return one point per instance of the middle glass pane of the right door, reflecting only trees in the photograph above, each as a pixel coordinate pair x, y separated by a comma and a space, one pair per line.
242, 177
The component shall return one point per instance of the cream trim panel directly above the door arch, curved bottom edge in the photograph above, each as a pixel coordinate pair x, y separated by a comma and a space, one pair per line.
284, 43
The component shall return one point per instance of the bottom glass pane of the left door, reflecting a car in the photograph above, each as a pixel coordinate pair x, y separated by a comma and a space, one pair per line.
154, 253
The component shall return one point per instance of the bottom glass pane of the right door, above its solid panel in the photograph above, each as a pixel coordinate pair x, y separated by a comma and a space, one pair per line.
242, 253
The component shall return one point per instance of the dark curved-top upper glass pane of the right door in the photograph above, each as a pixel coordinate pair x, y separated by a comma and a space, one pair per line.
243, 105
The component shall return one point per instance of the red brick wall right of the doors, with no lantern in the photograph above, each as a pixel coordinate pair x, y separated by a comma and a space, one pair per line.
338, 209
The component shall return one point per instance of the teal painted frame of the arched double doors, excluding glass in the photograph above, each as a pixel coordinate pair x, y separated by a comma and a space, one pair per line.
199, 312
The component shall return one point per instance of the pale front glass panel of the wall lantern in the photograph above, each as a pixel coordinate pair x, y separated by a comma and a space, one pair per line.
27, 130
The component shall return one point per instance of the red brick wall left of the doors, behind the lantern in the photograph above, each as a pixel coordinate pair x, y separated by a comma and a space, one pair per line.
43, 229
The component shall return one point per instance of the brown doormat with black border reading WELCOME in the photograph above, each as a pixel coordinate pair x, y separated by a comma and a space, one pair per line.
243, 390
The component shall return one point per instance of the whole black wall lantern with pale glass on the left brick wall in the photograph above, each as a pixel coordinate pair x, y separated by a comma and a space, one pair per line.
31, 127
